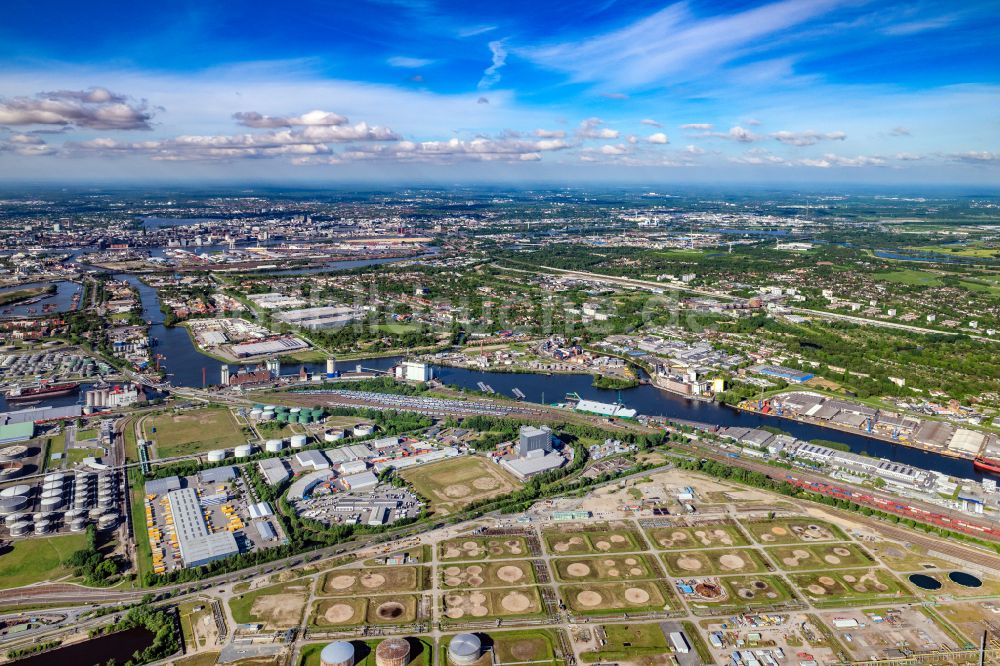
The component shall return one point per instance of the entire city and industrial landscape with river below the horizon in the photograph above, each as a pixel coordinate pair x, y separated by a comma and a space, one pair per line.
481, 426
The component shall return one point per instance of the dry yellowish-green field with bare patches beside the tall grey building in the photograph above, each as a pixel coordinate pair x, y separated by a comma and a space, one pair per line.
452, 484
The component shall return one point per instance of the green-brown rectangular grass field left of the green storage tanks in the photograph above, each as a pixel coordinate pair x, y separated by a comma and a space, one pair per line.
195, 431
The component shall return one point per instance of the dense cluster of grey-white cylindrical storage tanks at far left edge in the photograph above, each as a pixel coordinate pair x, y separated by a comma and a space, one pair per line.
73, 500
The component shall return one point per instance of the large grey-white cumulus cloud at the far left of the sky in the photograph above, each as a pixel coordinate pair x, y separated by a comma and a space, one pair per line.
95, 108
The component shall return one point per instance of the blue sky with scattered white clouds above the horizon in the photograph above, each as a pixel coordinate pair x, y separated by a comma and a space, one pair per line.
389, 90
